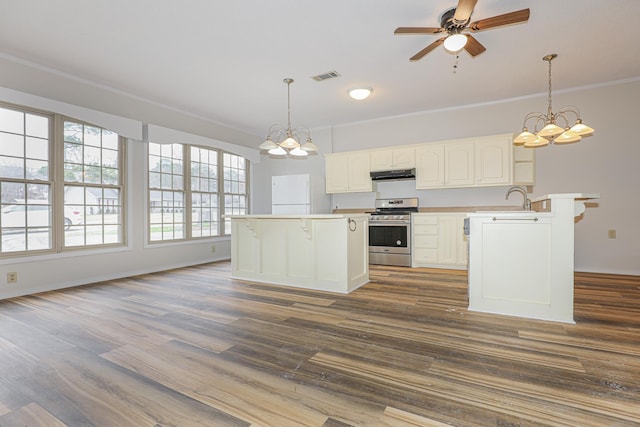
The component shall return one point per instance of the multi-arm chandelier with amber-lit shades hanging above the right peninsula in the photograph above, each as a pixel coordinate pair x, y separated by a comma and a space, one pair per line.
550, 131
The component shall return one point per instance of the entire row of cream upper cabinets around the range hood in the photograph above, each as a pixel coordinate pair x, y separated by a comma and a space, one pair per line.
472, 162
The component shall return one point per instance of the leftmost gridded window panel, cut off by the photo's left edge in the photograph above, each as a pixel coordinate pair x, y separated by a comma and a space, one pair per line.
26, 219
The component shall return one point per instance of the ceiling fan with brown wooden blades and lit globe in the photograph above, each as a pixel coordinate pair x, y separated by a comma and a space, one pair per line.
455, 22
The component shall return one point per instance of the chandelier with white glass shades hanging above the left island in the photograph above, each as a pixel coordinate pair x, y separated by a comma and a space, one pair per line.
283, 141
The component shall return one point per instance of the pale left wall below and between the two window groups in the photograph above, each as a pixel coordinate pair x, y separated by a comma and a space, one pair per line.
46, 272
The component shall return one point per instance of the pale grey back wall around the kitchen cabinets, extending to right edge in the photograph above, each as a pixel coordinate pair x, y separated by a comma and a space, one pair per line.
605, 163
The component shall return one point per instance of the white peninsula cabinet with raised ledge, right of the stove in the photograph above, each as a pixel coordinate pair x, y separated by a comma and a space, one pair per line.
521, 262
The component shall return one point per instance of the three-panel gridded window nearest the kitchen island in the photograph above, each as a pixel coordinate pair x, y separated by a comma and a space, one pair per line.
172, 186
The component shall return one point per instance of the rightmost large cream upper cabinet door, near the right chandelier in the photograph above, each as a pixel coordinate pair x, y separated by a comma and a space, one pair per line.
492, 161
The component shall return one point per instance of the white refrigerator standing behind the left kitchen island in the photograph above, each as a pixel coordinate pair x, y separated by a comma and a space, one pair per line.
301, 194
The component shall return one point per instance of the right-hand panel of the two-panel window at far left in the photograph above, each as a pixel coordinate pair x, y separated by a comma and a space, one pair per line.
92, 186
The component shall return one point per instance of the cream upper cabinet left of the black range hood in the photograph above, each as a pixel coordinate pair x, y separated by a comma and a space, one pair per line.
348, 172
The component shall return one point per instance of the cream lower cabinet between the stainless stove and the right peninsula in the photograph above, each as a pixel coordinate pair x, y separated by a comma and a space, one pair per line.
439, 241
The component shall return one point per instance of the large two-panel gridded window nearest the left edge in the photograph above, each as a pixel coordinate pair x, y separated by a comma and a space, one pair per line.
51, 206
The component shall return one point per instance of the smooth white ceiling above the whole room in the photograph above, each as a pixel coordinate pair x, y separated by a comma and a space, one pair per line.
225, 60
